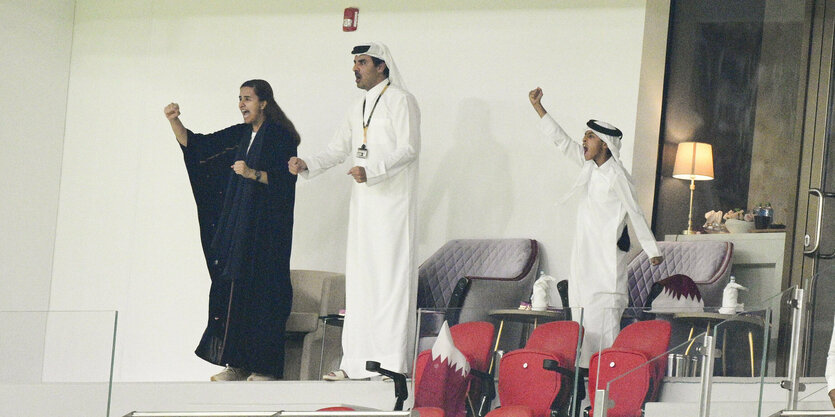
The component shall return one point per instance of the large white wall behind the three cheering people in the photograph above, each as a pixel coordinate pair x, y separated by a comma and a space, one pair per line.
127, 234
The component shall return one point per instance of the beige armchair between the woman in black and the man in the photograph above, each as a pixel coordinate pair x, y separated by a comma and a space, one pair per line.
315, 294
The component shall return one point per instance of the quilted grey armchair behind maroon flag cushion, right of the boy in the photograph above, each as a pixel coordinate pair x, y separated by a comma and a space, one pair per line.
708, 263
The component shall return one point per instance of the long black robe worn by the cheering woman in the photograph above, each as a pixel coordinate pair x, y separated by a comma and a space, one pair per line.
246, 229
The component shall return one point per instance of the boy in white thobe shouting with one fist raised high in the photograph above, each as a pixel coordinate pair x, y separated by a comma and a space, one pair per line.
598, 281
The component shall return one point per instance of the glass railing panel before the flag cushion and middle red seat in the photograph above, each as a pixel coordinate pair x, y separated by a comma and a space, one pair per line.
514, 347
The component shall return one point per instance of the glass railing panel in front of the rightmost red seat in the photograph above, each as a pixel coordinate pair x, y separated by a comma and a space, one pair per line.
637, 351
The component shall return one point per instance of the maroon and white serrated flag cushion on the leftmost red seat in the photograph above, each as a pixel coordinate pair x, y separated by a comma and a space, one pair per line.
445, 378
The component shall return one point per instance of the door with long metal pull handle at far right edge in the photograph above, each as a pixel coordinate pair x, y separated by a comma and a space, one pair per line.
813, 257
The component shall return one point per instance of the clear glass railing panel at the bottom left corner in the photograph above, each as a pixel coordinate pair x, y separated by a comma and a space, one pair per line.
56, 362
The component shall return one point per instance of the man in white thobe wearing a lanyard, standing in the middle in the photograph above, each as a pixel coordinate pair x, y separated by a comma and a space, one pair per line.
381, 135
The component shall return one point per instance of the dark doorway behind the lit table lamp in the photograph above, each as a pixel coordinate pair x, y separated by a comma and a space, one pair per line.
753, 79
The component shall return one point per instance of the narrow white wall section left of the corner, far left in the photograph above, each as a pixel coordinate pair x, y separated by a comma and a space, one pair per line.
35, 42
